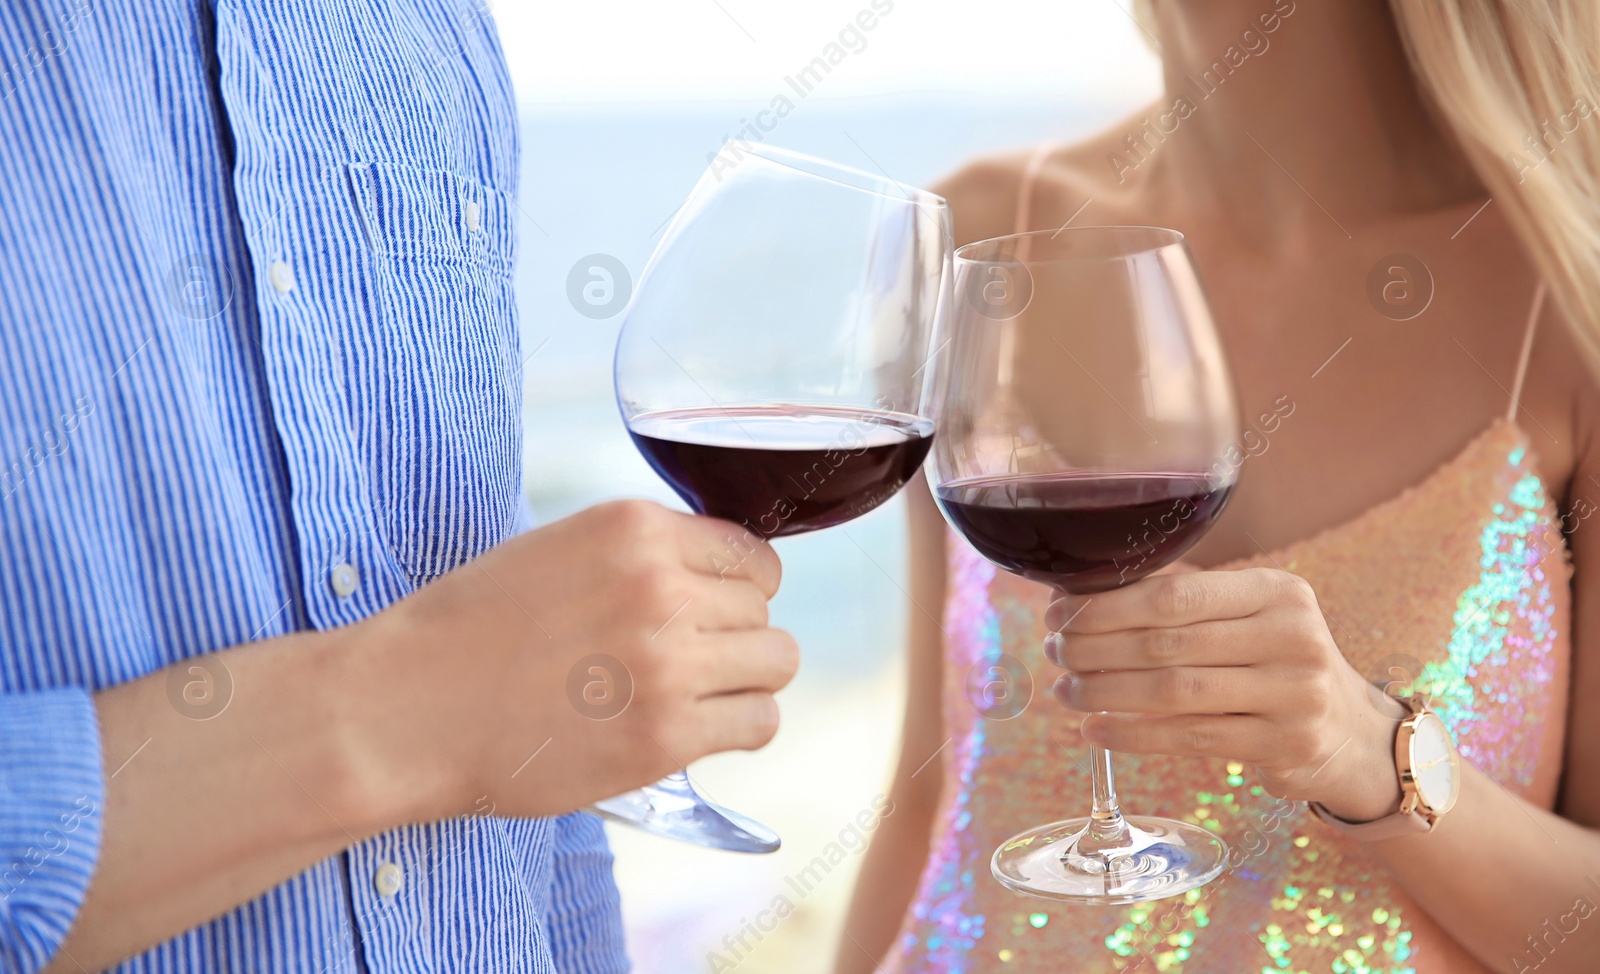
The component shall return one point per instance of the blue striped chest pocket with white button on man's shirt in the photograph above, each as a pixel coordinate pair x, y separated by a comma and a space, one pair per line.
438, 396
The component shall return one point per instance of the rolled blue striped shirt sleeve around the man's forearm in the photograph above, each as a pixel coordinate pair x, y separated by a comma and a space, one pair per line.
52, 794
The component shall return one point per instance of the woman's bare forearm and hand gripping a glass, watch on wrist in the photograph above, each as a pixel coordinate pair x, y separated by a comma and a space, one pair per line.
1239, 665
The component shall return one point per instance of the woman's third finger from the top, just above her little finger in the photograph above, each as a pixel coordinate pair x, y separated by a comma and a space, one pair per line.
1169, 690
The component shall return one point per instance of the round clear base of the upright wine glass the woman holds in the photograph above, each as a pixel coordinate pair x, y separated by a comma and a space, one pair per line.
1162, 858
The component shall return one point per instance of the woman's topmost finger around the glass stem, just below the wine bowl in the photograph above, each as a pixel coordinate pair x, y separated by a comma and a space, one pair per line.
1172, 601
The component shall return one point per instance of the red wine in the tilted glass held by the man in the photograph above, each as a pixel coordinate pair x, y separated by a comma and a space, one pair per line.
783, 469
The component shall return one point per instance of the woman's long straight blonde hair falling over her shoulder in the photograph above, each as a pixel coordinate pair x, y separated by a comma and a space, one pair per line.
1514, 82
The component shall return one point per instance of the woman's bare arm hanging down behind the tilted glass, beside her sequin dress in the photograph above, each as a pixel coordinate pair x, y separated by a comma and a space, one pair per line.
900, 847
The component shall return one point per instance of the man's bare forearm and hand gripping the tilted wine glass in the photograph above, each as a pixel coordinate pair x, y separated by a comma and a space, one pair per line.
425, 708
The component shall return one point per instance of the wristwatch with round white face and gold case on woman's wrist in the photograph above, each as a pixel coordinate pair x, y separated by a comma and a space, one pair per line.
1430, 772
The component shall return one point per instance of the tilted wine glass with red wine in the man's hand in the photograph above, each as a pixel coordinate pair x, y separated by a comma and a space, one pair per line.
772, 367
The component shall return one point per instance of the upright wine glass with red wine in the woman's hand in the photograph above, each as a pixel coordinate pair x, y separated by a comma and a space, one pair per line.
1086, 428
